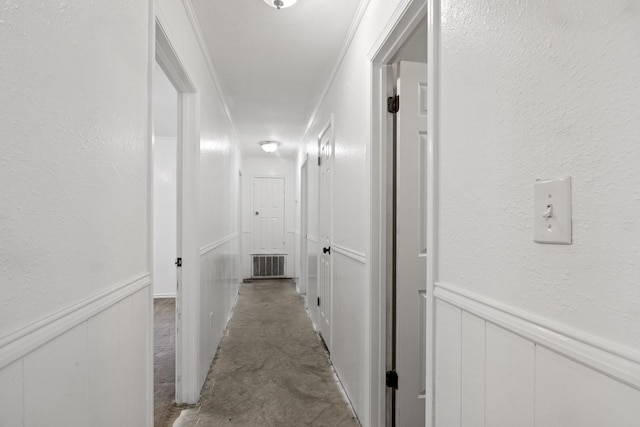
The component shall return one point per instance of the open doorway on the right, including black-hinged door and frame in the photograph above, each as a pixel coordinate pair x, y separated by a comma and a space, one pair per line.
399, 172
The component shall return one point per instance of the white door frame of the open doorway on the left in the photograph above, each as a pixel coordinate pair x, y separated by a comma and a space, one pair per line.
188, 152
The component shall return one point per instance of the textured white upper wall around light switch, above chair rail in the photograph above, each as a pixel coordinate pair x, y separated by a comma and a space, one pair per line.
540, 90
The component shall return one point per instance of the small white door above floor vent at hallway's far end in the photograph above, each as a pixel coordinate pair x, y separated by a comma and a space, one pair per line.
268, 215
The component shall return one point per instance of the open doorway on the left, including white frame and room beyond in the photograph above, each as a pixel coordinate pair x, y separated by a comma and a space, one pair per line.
173, 214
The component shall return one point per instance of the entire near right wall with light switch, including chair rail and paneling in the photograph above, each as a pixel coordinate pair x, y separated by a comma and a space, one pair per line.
538, 90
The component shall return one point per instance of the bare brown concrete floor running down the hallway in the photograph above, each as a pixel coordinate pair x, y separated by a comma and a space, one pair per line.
271, 368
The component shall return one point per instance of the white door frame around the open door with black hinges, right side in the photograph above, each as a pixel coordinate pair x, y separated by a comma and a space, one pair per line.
399, 28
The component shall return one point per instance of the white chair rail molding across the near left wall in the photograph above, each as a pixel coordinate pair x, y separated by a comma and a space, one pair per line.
22, 342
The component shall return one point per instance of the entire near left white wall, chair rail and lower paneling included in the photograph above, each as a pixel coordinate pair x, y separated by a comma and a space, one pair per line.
75, 313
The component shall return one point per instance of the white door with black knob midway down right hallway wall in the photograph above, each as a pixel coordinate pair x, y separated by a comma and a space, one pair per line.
325, 278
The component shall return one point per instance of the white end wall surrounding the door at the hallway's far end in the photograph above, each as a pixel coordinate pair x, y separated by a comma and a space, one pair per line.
261, 167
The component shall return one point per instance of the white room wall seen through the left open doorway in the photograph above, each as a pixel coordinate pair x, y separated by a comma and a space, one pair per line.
165, 132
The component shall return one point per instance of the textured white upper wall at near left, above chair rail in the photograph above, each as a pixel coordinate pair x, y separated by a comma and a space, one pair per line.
73, 157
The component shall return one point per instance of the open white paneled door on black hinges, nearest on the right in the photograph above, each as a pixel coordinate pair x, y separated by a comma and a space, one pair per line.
411, 132
